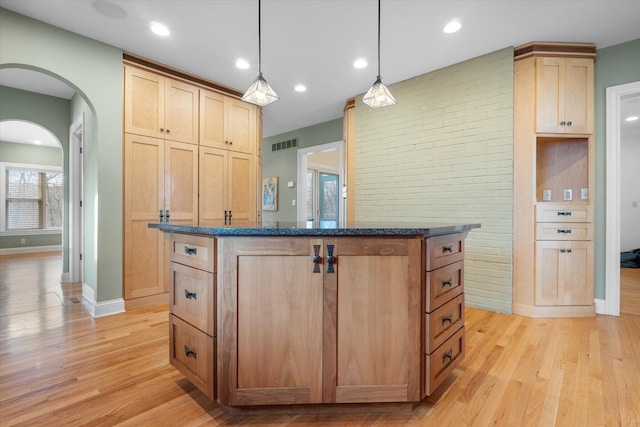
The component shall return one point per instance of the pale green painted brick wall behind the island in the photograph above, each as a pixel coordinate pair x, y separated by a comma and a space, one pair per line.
444, 153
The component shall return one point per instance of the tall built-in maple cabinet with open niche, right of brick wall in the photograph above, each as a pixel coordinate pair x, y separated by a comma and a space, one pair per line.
553, 180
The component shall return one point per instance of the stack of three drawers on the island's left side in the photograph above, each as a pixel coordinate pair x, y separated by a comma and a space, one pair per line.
192, 320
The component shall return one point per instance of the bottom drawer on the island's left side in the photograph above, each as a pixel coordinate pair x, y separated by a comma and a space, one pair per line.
193, 353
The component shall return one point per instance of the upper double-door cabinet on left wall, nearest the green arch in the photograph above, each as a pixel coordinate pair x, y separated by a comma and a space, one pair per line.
160, 107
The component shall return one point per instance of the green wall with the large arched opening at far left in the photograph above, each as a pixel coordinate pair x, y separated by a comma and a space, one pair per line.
94, 69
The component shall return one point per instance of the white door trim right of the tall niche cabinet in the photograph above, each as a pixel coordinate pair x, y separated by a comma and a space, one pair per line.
612, 227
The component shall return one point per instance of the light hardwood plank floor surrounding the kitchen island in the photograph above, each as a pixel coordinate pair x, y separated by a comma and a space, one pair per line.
59, 366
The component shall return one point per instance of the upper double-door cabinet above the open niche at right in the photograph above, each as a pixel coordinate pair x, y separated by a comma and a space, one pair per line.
564, 95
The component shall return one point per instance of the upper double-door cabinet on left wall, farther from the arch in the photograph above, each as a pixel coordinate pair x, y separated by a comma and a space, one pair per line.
227, 123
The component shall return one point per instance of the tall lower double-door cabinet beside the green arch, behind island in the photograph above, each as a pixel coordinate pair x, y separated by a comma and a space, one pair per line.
161, 182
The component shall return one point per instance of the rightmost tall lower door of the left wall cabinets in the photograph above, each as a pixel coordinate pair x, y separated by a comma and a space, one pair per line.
242, 187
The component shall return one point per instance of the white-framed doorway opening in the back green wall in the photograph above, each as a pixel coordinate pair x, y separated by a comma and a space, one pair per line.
321, 203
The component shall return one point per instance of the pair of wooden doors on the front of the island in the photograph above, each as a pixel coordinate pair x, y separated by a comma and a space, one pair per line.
286, 340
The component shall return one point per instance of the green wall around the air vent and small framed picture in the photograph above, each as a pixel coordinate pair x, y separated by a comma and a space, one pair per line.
284, 163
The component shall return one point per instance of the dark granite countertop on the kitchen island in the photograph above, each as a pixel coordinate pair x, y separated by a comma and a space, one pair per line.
300, 229
